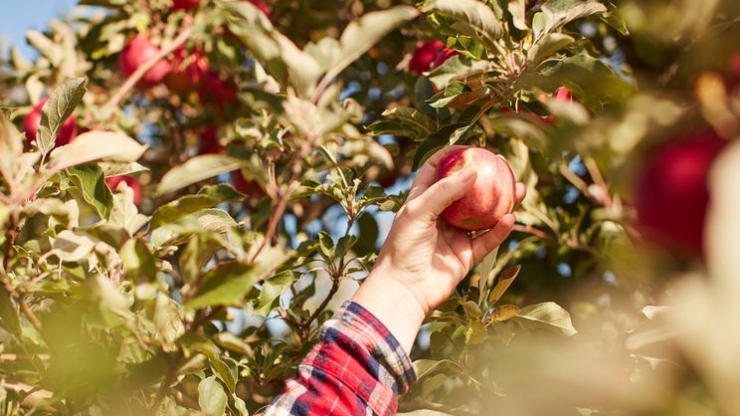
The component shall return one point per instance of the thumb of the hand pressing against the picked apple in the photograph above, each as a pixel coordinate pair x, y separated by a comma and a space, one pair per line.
444, 192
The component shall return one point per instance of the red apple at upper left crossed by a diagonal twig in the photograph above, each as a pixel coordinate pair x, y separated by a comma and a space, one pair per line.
138, 51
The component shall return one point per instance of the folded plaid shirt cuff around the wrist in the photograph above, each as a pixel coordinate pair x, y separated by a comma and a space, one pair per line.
380, 343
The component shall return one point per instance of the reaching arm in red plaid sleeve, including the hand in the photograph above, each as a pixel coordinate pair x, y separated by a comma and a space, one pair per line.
361, 361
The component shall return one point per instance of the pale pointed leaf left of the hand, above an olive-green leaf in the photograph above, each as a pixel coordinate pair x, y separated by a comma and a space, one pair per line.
195, 170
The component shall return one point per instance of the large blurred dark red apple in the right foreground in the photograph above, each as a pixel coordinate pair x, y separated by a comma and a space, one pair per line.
671, 194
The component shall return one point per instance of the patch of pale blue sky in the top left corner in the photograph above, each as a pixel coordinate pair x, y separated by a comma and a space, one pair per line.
20, 15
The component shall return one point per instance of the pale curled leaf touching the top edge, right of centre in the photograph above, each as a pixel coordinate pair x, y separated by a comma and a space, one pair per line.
475, 15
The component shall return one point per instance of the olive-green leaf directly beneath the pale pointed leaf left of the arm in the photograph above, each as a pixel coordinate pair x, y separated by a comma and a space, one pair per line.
208, 197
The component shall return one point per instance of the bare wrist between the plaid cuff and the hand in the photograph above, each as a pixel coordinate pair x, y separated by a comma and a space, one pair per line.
393, 304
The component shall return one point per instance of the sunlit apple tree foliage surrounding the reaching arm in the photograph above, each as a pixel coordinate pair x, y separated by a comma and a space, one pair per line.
268, 182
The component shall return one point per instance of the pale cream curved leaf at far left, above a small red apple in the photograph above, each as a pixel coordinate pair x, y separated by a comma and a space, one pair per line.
96, 146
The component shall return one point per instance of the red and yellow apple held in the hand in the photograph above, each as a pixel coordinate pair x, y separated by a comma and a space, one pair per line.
492, 195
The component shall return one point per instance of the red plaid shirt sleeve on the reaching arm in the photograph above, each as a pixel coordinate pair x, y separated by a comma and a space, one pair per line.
357, 368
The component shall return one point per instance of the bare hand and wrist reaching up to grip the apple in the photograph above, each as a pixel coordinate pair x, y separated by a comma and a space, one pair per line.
423, 259
